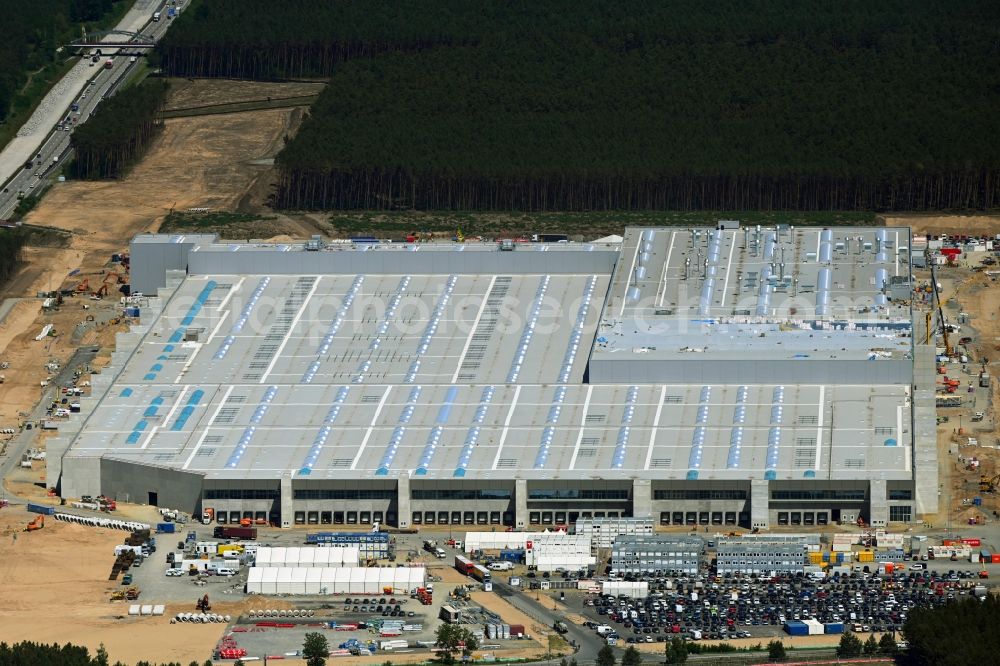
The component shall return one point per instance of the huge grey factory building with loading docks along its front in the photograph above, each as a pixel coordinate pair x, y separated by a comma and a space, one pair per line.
716, 376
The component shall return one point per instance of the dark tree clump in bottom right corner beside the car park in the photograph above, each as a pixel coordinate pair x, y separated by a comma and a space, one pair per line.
953, 635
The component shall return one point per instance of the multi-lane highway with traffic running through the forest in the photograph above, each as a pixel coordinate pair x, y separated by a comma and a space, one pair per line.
40, 141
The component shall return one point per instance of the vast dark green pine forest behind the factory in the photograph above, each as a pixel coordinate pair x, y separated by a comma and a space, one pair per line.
589, 105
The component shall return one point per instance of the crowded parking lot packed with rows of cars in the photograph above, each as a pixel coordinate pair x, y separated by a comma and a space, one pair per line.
721, 607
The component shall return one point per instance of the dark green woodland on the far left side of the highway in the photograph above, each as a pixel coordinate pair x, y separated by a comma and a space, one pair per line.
31, 33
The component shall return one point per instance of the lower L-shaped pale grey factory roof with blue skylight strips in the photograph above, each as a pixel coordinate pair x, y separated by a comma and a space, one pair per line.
446, 376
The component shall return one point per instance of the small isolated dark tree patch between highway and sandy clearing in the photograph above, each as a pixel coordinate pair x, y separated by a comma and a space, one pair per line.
119, 132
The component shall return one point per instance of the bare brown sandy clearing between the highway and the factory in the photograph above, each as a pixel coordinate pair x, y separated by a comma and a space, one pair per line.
206, 162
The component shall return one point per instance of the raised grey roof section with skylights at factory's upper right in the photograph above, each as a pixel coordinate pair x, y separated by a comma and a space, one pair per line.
678, 292
